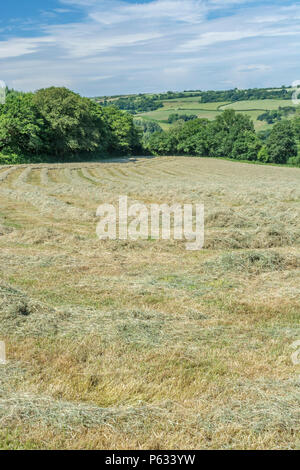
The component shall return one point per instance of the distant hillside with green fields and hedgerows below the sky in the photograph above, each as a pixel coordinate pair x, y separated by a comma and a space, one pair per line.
264, 106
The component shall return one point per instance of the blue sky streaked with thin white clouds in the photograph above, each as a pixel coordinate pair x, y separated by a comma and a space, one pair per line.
109, 47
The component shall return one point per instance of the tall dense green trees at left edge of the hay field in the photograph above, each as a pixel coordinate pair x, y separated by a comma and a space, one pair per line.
60, 124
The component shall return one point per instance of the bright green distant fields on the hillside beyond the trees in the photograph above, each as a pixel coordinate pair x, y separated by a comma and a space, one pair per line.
211, 110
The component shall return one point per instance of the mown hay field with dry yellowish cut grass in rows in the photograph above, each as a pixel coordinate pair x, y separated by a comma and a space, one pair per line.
144, 345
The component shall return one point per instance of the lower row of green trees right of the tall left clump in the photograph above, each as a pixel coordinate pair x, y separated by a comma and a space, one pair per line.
230, 135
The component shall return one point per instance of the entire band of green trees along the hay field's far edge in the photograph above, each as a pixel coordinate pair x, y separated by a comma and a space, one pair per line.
58, 124
